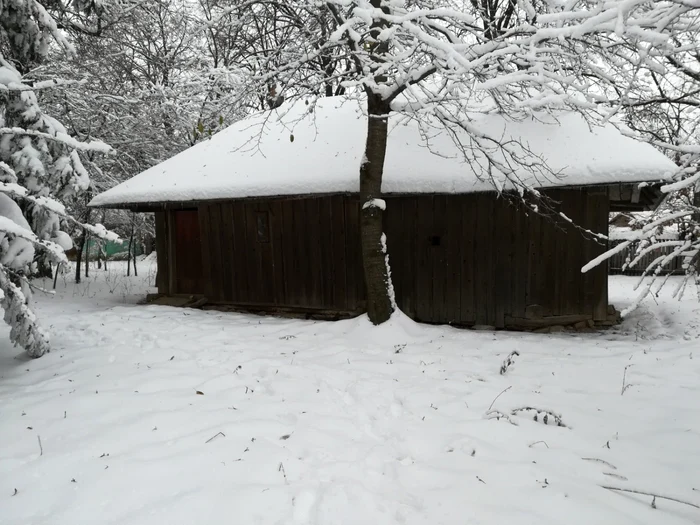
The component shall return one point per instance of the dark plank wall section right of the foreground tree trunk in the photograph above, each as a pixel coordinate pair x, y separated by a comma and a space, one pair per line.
478, 259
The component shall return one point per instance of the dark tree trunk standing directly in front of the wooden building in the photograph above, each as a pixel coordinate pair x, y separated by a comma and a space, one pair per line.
374, 261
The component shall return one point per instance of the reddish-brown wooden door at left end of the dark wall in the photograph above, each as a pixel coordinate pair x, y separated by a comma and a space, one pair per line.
188, 253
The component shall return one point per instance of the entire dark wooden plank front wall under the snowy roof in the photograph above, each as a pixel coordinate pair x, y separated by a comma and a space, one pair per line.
461, 259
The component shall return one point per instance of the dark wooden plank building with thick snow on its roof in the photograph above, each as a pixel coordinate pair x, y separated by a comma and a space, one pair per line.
273, 225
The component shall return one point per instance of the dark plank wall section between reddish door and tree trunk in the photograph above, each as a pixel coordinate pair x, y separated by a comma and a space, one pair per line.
295, 253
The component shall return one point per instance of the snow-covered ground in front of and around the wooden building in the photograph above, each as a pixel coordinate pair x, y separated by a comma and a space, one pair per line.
158, 415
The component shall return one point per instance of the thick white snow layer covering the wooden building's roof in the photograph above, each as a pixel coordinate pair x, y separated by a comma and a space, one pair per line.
294, 151
